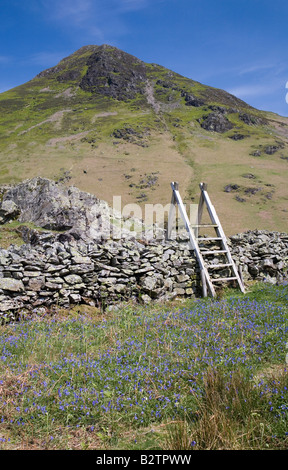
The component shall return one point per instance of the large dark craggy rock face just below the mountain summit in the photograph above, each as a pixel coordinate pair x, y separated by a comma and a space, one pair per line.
114, 73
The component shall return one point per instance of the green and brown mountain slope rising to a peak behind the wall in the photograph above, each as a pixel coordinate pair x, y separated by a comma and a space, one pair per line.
113, 125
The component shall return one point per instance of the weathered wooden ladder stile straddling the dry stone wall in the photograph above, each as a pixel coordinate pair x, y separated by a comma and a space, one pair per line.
207, 279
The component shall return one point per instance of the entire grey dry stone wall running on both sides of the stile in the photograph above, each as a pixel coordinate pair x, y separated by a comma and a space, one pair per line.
51, 269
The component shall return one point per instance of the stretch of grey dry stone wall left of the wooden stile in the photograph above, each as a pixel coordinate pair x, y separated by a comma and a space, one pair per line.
58, 270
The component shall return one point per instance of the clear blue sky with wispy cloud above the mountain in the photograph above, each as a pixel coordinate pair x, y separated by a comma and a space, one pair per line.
238, 45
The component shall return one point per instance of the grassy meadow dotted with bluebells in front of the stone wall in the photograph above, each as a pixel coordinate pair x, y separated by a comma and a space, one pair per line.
205, 374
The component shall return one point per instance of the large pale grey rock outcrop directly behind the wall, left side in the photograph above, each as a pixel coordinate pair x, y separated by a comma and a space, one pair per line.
54, 206
